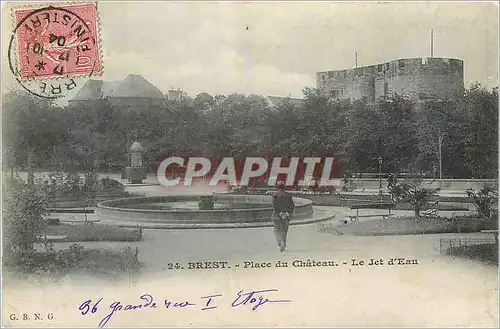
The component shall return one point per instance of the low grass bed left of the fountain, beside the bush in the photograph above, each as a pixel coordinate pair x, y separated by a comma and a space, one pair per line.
95, 232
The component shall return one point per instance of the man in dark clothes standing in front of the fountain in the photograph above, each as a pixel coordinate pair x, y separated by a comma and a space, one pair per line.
283, 207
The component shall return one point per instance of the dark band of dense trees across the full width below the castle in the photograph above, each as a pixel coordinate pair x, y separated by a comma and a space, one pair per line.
405, 134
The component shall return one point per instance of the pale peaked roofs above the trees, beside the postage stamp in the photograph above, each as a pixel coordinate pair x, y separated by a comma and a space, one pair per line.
132, 91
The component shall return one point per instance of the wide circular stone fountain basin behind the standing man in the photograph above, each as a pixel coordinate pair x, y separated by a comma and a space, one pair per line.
183, 210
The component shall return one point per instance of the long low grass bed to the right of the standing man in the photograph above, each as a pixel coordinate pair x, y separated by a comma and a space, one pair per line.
408, 225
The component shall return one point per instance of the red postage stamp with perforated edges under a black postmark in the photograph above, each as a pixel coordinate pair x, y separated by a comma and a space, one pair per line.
57, 41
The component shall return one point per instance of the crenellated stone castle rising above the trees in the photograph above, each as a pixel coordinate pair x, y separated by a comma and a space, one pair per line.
419, 78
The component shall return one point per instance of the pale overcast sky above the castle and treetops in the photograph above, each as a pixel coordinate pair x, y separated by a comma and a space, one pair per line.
277, 48
